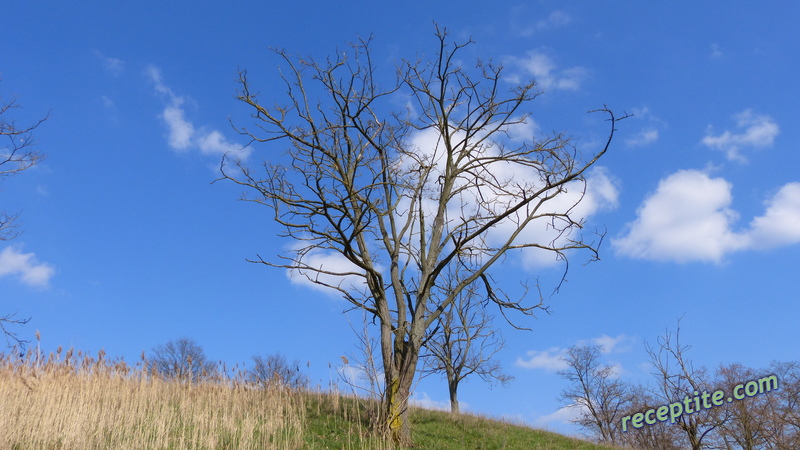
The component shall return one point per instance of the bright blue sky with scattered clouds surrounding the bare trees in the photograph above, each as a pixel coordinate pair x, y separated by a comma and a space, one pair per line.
127, 244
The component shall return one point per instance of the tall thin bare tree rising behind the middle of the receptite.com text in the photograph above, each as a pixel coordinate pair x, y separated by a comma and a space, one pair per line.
676, 379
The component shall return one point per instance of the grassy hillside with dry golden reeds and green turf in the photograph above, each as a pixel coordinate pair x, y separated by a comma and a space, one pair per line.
75, 401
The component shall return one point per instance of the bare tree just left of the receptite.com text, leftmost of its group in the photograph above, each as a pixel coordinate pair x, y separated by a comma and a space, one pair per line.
595, 388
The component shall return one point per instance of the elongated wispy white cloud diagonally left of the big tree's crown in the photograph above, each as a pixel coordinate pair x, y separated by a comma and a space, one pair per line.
182, 134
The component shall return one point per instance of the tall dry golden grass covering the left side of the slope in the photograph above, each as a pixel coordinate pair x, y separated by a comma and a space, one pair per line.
78, 402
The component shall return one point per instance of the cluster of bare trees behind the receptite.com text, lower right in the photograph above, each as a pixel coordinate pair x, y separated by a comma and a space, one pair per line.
764, 419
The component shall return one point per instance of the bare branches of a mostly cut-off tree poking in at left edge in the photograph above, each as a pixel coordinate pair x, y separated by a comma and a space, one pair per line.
16, 155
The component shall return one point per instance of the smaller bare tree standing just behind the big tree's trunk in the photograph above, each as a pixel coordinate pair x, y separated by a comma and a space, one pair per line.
462, 341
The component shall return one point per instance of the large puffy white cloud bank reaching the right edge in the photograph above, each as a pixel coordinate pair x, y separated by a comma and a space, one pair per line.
689, 218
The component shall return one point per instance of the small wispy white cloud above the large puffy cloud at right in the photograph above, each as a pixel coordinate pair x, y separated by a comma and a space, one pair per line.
754, 131
